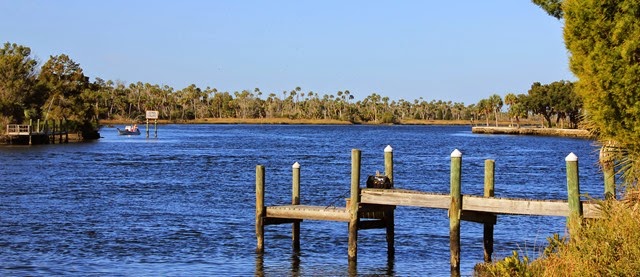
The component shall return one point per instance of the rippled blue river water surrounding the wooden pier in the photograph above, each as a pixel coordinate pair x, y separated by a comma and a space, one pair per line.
184, 203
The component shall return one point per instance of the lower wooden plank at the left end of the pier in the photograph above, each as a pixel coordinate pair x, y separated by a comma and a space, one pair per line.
308, 212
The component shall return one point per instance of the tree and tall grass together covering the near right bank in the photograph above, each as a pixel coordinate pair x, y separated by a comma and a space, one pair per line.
603, 38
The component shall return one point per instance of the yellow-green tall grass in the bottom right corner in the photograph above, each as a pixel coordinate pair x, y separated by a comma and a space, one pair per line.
609, 246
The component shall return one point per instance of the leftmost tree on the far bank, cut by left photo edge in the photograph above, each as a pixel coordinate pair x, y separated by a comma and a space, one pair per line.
17, 78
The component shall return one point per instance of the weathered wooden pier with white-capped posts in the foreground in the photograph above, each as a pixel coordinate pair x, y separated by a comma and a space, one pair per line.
369, 208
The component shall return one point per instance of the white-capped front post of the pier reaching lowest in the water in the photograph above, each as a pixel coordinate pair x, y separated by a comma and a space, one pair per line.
455, 210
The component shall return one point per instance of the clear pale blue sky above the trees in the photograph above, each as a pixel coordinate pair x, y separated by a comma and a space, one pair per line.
460, 51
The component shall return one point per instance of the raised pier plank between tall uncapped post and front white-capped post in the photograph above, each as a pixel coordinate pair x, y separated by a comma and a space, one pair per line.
401, 197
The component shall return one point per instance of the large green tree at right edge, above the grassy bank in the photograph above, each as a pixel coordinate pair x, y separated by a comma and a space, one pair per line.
603, 38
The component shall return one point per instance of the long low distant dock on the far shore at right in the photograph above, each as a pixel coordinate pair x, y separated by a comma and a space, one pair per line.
574, 133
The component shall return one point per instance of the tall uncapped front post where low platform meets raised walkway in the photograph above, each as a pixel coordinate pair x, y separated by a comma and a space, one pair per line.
353, 205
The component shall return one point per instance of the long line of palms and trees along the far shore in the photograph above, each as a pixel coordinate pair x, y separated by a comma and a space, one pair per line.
59, 90
